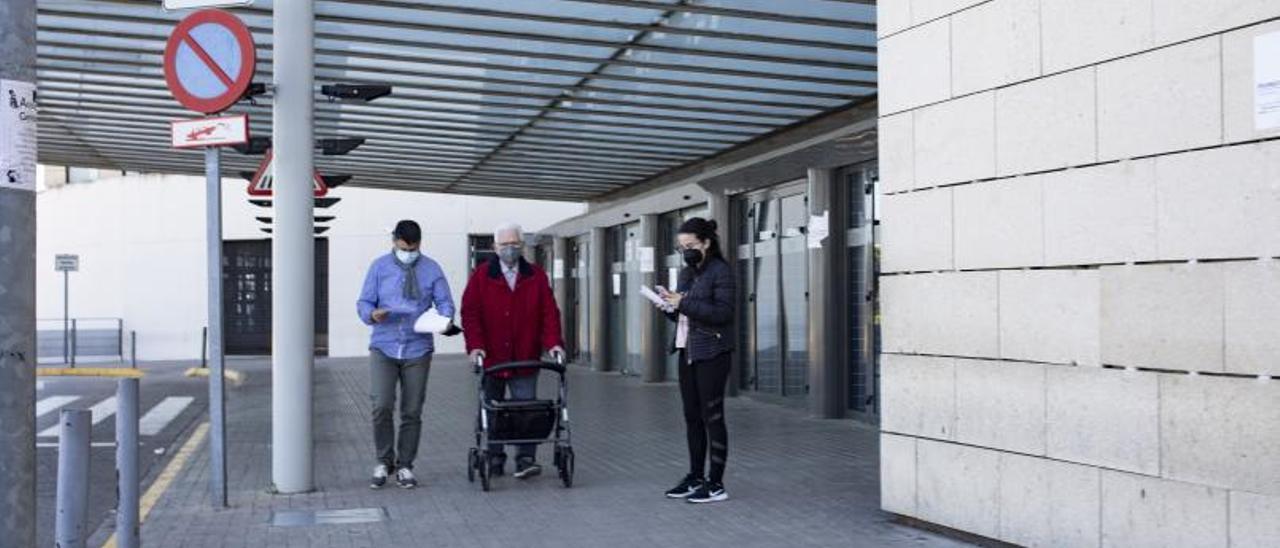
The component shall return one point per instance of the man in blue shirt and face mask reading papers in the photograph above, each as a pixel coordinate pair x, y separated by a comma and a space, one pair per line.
399, 289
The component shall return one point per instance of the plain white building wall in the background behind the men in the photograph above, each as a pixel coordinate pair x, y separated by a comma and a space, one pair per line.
141, 240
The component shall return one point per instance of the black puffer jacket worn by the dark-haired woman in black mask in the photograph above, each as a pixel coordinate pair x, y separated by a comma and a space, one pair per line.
710, 302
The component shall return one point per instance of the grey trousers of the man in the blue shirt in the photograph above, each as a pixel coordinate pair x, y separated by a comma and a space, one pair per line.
412, 376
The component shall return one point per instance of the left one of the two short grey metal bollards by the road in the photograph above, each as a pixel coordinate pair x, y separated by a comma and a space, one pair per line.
74, 479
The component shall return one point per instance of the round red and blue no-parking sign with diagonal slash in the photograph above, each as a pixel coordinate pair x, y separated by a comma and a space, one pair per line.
209, 61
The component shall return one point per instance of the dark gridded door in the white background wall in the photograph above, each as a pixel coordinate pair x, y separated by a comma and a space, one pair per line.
248, 296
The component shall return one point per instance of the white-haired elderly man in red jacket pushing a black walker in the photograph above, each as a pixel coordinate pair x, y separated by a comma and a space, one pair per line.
510, 314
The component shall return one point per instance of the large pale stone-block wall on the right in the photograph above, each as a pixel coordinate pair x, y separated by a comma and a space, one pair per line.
1081, 294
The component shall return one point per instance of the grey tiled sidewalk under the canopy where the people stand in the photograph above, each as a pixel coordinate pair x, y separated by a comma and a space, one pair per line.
794, 481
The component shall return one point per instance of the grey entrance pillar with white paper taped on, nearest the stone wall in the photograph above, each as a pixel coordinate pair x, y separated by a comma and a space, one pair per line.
828, 368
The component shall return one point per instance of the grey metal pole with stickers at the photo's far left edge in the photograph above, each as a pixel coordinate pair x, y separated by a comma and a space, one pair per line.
17, 308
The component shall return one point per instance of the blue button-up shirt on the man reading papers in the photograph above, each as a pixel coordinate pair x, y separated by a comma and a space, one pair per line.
385, 289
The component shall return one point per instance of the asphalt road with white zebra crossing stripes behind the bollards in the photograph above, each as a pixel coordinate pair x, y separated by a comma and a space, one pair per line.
170, 404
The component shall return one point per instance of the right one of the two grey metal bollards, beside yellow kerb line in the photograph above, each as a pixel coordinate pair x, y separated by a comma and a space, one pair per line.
127, 464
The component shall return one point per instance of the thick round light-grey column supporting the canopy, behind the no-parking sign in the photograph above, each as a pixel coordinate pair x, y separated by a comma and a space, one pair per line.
294, 250
